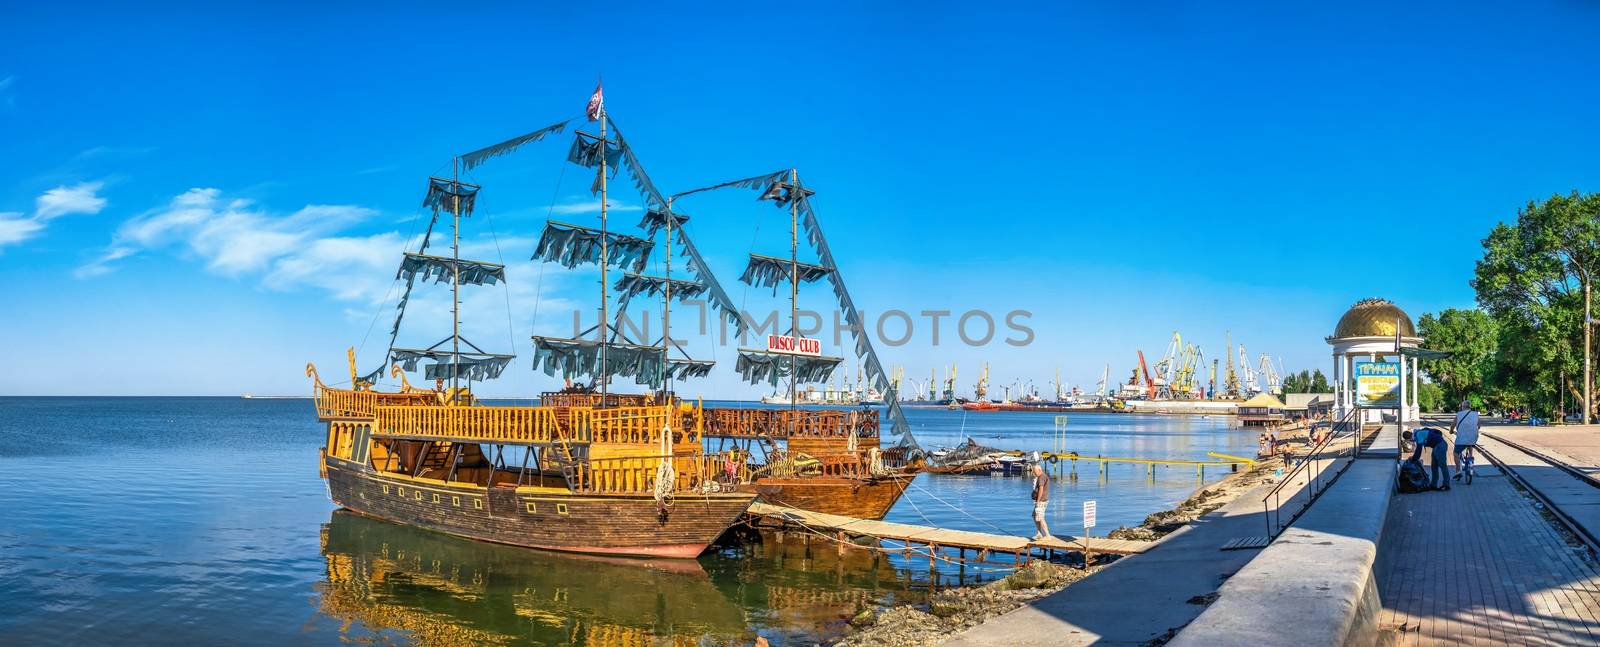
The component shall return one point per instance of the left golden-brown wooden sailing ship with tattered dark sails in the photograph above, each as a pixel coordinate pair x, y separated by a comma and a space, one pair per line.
585, 472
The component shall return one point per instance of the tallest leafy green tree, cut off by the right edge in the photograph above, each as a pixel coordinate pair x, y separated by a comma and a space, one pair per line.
1532, 281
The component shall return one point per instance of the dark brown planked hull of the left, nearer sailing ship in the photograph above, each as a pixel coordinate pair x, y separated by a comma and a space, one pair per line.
630, 526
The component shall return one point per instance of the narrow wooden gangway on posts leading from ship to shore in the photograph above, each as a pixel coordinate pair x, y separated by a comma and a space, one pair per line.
980, 544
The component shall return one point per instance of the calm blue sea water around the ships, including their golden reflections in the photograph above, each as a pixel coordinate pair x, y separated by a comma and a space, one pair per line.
202, 521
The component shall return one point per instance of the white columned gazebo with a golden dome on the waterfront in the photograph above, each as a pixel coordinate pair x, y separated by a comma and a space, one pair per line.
1375, 331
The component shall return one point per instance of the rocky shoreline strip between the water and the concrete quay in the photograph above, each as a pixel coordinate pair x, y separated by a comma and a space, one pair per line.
958, 609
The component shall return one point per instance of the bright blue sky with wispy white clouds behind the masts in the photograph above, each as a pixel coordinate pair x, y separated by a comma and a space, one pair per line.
199, 199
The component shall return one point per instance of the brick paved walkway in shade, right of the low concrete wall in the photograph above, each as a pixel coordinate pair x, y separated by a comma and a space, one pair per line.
1482, 566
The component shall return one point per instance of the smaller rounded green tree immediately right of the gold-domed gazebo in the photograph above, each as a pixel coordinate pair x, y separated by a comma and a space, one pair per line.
1471, 339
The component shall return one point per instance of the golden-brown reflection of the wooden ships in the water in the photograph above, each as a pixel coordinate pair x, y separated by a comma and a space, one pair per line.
396, 584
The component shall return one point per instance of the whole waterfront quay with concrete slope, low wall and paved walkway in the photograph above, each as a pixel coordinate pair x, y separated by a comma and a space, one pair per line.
1508, 560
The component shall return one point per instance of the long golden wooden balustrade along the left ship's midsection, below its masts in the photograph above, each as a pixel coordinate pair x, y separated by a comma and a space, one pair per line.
521, 425
